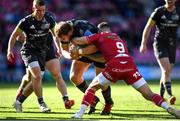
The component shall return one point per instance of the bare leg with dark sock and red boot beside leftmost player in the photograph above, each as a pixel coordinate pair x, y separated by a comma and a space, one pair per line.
53, 67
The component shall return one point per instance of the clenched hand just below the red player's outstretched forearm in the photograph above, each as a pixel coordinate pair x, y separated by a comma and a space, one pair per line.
74, 52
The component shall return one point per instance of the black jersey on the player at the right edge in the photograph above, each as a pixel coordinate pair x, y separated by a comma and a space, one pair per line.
167, 22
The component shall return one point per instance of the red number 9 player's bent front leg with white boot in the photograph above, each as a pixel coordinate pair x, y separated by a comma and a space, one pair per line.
98, 82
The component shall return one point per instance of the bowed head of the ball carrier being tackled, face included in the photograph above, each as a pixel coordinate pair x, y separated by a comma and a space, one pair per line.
64, 30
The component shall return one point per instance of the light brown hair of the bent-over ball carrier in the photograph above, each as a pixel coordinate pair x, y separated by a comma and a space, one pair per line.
63, 28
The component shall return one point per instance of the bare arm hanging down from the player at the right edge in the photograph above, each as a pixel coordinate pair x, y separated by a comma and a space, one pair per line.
146, 32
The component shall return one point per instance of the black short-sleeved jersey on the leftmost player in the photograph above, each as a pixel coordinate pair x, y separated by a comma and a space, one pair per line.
36, 31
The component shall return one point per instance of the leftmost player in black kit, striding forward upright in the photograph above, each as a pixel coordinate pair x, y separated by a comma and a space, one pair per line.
36, 26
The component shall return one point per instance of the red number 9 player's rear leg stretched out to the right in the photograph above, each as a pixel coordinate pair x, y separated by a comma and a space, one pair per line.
145, 90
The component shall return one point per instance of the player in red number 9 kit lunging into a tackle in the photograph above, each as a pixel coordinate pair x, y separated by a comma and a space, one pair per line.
119, 66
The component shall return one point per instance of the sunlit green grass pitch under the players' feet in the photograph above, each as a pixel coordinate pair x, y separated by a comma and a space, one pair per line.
128, 104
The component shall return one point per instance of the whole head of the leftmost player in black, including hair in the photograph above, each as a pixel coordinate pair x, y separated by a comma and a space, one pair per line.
39, 9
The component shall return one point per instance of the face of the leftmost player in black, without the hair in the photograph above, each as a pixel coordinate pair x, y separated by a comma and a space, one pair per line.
39, 11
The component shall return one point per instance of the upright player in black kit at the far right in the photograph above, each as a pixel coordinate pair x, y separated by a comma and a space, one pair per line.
167, 20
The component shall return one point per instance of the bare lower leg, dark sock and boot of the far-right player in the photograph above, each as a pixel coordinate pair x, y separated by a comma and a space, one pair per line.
166, 68
